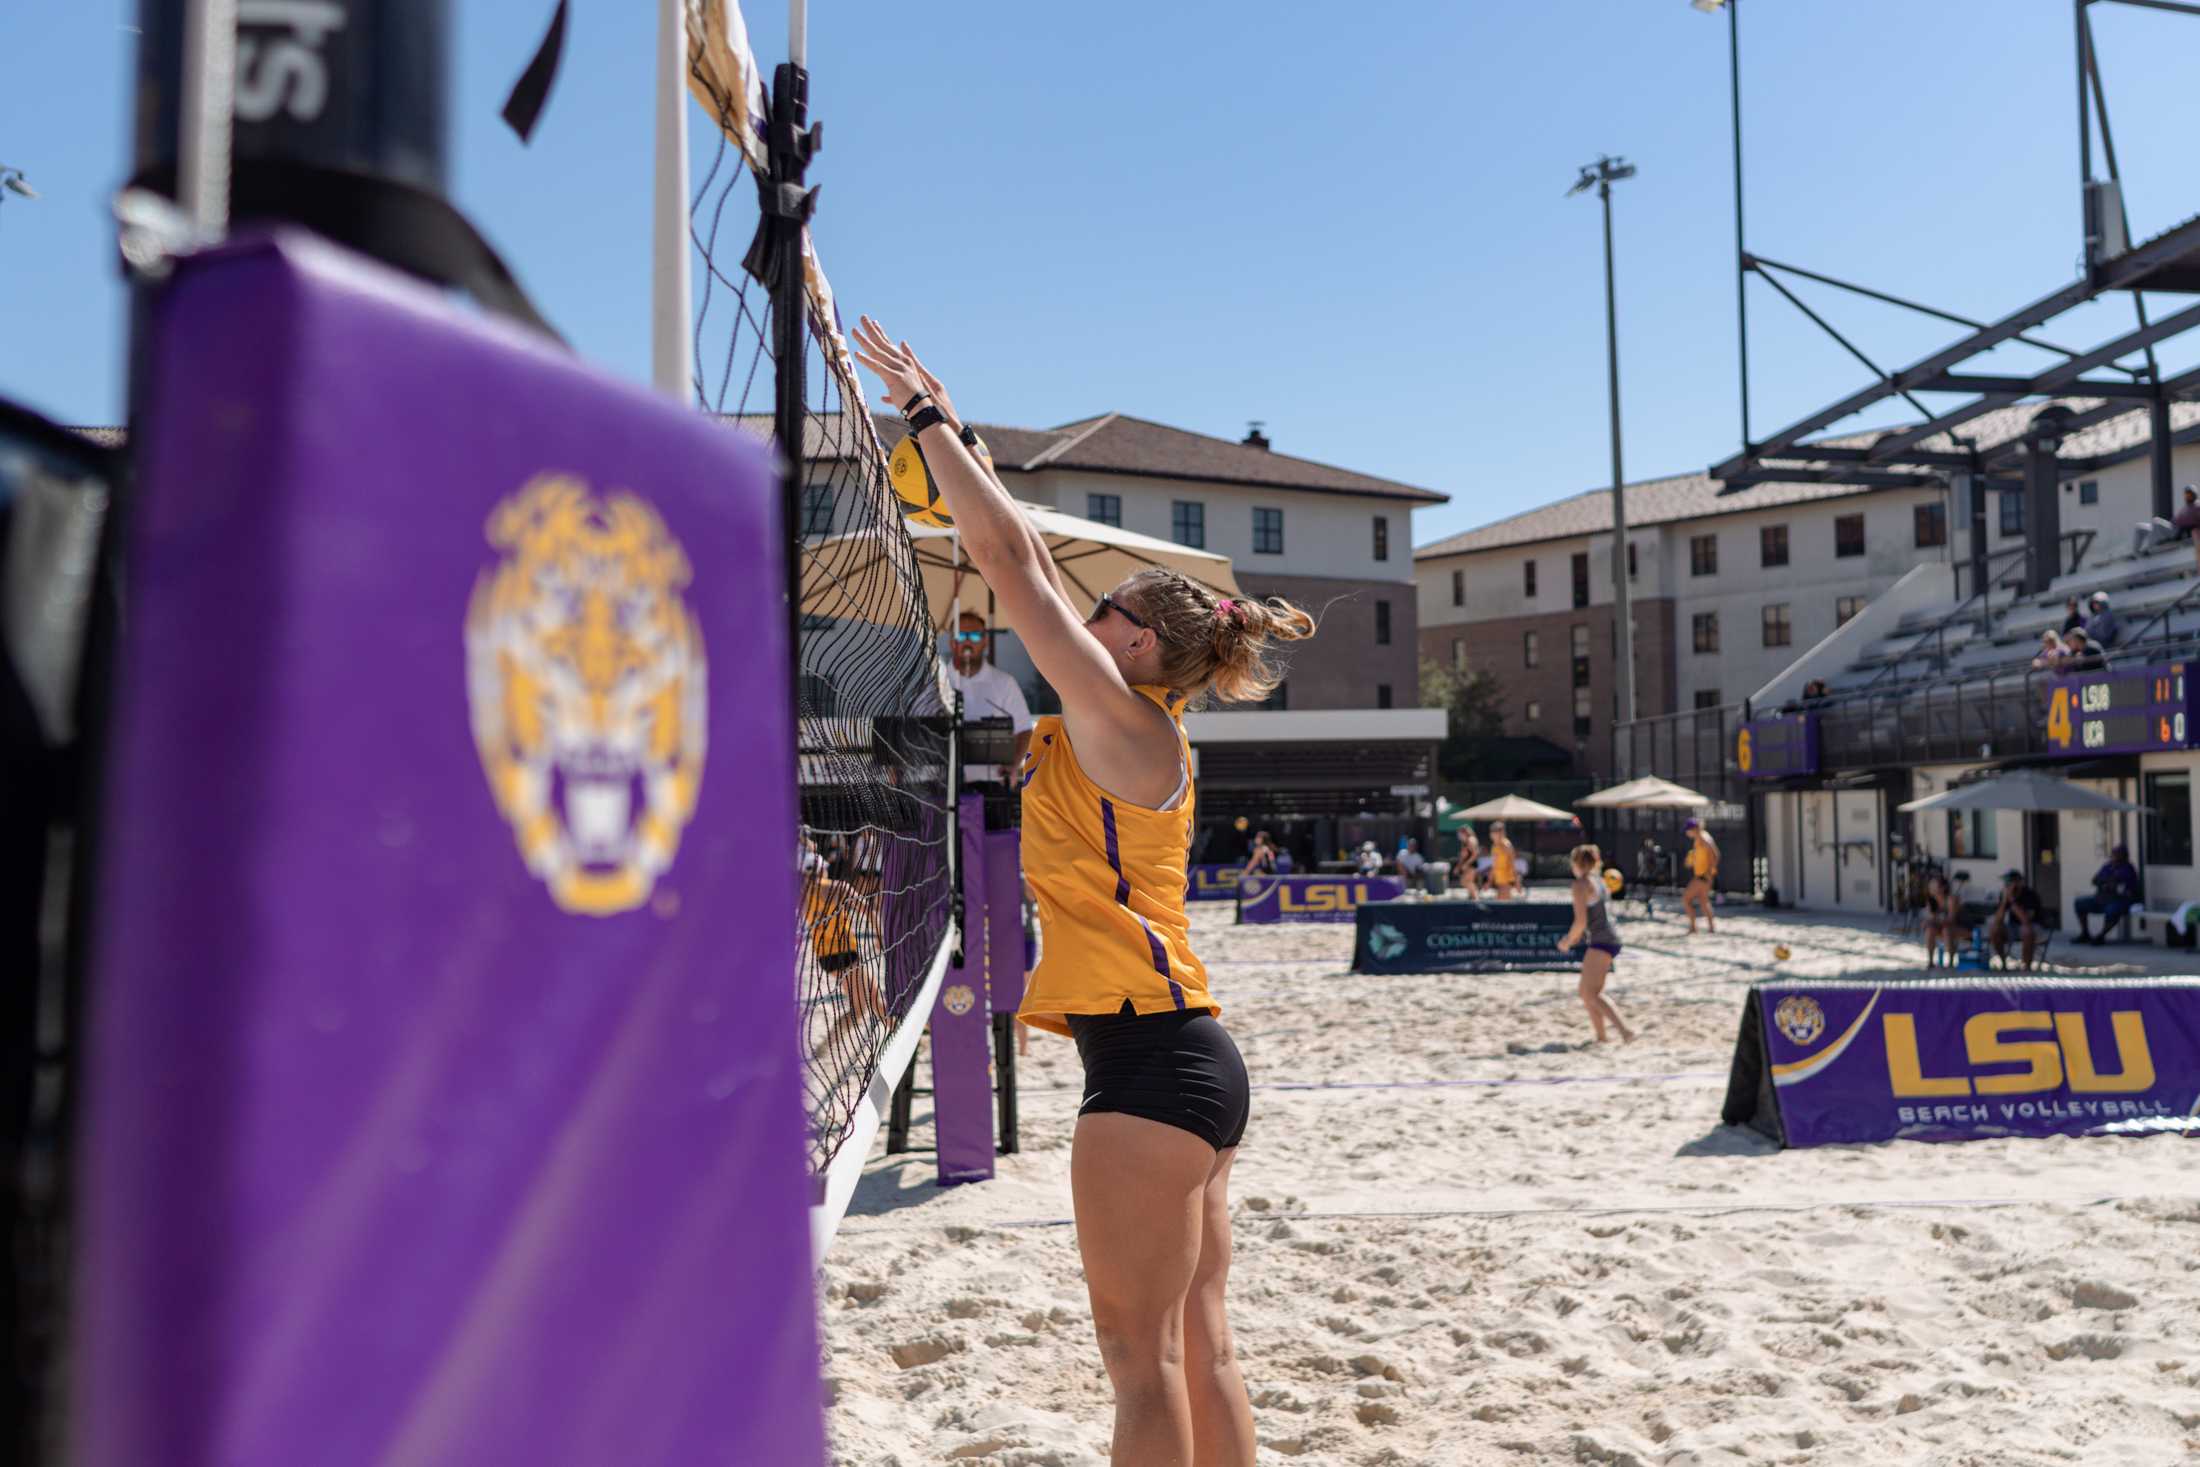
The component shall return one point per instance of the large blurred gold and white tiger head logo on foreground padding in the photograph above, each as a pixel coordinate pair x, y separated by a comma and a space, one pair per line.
586, 683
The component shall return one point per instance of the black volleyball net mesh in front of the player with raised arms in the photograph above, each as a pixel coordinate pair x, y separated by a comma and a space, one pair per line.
874, 740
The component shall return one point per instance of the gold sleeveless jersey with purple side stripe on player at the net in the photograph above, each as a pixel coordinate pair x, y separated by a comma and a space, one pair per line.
1110, 887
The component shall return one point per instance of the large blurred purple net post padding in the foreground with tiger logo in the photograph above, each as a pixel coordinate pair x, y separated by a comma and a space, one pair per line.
443, 1088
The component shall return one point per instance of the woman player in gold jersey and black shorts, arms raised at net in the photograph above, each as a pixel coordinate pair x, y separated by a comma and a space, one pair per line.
1108, 819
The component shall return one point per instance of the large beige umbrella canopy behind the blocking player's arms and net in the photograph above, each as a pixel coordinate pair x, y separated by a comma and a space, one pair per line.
859, 575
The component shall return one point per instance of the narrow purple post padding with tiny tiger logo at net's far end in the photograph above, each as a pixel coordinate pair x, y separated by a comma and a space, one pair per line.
962, 1026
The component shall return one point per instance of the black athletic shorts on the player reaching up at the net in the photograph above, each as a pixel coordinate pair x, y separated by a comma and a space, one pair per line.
1180, 1070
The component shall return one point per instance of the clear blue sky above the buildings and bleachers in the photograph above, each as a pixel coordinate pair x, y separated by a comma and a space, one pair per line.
1341, 219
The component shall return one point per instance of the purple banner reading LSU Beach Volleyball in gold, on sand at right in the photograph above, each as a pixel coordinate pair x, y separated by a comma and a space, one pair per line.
1840, 1063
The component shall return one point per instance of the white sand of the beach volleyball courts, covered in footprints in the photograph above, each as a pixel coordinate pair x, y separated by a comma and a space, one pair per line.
1583, 1270
